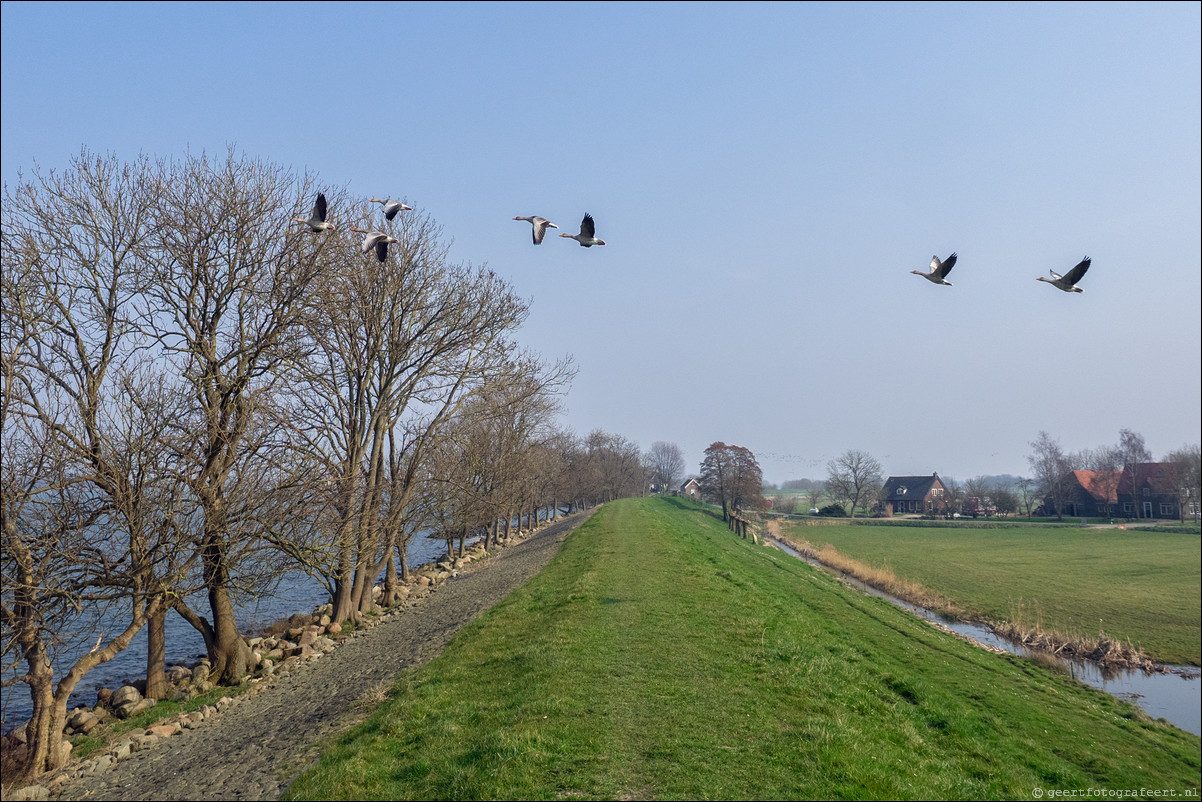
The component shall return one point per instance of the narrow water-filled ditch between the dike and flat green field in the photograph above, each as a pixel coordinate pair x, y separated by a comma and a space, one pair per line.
1173, 693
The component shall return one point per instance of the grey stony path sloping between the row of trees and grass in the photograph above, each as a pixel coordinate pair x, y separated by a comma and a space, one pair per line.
259, 746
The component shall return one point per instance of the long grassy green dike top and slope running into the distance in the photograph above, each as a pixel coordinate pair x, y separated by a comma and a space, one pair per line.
660, 657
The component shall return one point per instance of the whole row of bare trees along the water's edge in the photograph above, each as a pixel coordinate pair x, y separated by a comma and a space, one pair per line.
200, 395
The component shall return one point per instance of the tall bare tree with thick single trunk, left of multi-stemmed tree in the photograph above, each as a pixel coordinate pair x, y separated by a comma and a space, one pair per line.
230, 275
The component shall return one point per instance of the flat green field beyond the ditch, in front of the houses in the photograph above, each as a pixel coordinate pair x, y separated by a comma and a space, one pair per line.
1138, 586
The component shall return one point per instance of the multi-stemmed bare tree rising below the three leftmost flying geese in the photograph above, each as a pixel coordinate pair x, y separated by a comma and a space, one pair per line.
398, 347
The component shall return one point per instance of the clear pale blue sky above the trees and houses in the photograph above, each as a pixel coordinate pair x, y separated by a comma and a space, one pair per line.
766, 179
